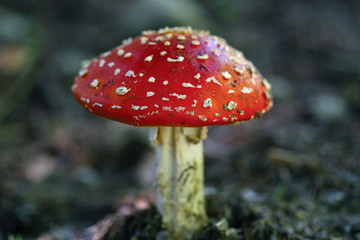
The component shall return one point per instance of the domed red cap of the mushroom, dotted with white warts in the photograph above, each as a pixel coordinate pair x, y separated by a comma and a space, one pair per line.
173, 77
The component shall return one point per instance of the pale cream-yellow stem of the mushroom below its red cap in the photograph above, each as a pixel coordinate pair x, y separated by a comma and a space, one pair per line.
180, 176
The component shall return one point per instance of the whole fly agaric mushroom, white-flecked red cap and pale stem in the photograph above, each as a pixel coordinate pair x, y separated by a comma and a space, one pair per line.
178, 80
